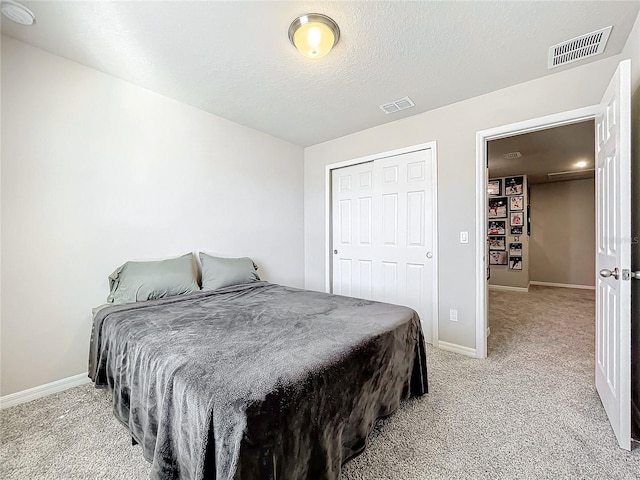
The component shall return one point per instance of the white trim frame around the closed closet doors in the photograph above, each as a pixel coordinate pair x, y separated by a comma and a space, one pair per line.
328, 275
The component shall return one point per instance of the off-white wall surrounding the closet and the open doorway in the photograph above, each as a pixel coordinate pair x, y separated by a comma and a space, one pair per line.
454, 129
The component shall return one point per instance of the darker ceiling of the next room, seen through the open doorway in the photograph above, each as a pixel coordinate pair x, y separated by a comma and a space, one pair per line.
545, 151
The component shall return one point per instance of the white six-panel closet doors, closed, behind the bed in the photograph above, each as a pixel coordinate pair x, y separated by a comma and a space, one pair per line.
382, 219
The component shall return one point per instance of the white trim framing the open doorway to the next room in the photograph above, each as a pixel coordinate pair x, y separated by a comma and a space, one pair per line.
482, 137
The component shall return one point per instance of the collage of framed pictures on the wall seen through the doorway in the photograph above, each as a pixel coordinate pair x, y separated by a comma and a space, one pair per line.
506, 216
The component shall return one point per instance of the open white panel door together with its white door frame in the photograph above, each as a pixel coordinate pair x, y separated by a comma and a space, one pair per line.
613, 237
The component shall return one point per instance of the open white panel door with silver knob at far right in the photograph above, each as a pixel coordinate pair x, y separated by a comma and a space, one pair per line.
613, 254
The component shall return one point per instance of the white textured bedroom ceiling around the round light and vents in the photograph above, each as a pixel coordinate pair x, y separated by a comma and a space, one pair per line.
234, 59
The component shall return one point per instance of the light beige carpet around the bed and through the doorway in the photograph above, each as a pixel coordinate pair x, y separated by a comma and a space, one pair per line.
529, 411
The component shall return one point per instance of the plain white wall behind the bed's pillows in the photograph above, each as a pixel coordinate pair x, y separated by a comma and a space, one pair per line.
97, 171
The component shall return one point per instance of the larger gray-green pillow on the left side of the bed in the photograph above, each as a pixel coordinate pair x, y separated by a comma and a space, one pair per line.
140, 281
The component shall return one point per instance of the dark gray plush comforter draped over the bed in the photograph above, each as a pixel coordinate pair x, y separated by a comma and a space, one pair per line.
257, 380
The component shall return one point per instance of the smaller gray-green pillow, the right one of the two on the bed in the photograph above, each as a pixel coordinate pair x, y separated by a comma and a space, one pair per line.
220, 272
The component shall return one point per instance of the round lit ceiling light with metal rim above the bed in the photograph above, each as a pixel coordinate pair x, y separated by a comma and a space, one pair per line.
314, 34
